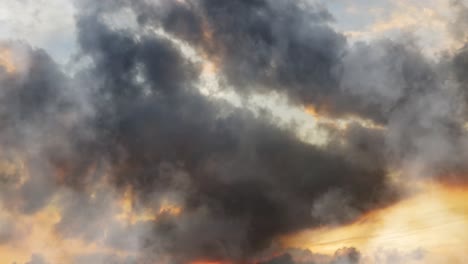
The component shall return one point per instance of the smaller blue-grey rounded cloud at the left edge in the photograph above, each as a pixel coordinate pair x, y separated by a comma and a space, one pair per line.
36, 113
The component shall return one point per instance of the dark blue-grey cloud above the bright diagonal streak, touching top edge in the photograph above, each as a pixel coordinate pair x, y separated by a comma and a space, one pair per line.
291, 48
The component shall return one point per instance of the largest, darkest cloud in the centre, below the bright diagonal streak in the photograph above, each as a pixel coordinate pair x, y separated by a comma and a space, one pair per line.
245, 181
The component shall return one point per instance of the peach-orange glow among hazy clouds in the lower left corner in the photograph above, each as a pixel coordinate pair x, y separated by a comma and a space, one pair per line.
37, 233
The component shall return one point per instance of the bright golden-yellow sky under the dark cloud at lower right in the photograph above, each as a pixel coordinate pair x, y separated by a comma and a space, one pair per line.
435, 220
